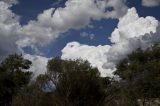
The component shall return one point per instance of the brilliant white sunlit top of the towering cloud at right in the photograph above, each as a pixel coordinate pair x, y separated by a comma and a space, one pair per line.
131, 25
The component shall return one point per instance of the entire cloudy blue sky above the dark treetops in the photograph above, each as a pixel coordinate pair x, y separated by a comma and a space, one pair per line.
100, 31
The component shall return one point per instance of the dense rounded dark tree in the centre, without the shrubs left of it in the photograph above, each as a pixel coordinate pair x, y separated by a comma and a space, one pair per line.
78, 83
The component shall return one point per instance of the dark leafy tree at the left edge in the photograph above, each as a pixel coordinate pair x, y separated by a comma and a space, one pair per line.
13, 76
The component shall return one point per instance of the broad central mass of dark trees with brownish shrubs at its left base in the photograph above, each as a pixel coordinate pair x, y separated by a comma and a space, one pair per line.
76, 83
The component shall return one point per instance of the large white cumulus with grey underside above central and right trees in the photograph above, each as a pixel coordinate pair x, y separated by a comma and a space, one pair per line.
131, 33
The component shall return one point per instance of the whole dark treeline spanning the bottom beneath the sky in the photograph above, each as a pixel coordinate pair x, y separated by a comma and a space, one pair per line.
77, 83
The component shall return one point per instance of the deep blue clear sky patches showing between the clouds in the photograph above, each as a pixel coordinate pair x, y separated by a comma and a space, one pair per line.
29, 9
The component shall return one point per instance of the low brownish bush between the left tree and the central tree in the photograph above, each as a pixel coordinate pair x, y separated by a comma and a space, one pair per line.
31, 95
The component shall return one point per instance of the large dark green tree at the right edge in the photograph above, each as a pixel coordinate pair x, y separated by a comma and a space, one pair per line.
140, 75
